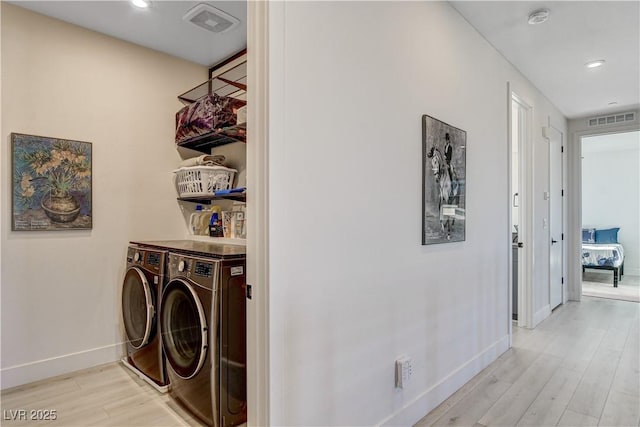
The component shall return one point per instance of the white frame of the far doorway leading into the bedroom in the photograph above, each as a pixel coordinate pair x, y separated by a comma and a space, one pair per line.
574, 243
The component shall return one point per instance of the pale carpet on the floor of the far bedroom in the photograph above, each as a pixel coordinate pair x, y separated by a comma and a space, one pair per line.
600, 284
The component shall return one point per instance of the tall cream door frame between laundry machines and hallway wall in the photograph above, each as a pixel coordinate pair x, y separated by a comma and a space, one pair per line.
258, 75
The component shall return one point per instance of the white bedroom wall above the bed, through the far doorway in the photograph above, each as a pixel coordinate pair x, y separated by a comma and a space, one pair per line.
610, 190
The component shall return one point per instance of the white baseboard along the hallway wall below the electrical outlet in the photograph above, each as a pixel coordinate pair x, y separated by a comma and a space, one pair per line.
426, 401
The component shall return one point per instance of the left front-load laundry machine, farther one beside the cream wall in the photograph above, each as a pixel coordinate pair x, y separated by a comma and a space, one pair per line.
141, 295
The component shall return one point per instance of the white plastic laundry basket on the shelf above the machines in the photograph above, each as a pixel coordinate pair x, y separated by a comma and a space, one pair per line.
203, 180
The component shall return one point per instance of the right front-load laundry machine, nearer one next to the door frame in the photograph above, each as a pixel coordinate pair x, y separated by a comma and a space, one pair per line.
203, 323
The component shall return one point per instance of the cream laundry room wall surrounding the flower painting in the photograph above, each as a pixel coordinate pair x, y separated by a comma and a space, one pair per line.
60, 290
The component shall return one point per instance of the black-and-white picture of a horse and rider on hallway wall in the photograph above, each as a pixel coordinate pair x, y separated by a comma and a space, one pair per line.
444, 182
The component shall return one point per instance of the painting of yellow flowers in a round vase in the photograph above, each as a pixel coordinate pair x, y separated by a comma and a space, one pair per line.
51, 186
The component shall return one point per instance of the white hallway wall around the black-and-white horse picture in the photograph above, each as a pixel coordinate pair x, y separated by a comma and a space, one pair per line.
351, 287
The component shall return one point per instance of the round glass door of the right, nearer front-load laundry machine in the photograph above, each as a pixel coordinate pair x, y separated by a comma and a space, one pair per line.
184, 329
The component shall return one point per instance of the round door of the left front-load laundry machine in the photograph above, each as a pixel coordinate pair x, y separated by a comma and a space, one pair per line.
138, 310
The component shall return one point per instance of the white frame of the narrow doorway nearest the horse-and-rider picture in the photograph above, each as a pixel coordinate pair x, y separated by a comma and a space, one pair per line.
525, 218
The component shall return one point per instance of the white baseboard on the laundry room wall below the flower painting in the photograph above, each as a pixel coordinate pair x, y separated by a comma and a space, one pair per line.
13, 376
